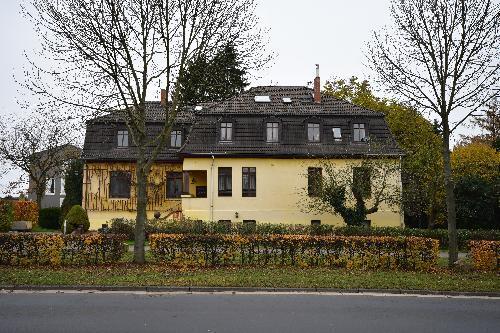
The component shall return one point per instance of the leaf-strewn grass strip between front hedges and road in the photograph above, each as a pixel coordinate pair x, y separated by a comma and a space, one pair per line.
153, 274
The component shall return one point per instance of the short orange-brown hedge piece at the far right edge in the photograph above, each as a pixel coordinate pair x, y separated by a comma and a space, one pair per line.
485, 255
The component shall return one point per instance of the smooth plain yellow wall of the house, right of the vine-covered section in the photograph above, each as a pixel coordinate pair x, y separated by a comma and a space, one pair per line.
280, 194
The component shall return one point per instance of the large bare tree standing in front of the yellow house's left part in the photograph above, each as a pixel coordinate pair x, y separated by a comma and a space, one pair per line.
111, 54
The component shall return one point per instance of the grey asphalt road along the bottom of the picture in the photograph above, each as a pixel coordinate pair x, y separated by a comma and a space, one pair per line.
203, 312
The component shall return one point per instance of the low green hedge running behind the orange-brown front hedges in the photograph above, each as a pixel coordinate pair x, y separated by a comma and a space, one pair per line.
126, 226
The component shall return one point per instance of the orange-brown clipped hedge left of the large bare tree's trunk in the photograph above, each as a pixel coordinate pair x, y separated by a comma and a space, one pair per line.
56, 249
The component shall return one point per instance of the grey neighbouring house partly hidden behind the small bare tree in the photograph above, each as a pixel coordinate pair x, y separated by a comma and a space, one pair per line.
54, 192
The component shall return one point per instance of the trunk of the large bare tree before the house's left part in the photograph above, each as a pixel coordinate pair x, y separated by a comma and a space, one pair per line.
142, 201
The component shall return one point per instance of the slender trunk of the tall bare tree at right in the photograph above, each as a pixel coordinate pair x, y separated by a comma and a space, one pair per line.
450, 197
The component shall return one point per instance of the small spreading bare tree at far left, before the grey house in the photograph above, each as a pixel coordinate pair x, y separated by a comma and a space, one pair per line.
39, 146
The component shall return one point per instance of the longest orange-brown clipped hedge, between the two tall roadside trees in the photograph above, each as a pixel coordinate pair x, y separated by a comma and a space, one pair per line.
413, 253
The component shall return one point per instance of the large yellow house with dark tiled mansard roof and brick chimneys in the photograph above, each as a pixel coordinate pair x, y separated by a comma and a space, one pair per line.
243, 159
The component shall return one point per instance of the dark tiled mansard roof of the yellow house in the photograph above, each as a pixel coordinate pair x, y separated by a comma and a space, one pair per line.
249, 118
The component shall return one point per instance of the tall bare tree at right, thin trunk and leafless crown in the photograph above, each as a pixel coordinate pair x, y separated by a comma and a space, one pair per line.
442, 55
